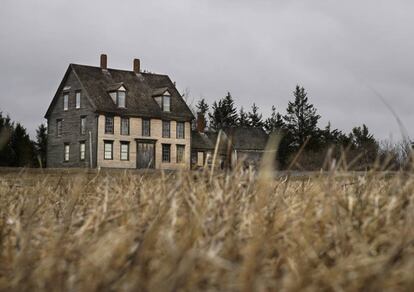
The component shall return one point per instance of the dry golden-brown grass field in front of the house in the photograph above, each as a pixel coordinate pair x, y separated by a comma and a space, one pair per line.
240, 231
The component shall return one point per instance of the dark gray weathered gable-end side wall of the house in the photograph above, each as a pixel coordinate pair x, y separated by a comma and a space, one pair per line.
71, 128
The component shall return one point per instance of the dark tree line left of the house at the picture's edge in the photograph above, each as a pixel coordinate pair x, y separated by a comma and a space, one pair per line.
16, 147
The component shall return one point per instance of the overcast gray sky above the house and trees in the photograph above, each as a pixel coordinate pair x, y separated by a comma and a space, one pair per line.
258, 50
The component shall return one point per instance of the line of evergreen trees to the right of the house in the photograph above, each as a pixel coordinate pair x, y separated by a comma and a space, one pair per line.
300, 132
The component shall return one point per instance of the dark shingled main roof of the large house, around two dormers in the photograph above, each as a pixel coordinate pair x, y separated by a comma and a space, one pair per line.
139, 95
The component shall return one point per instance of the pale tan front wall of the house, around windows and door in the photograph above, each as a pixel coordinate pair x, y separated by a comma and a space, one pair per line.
136, 133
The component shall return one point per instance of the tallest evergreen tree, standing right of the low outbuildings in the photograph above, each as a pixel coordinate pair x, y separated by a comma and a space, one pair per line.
301, 120
